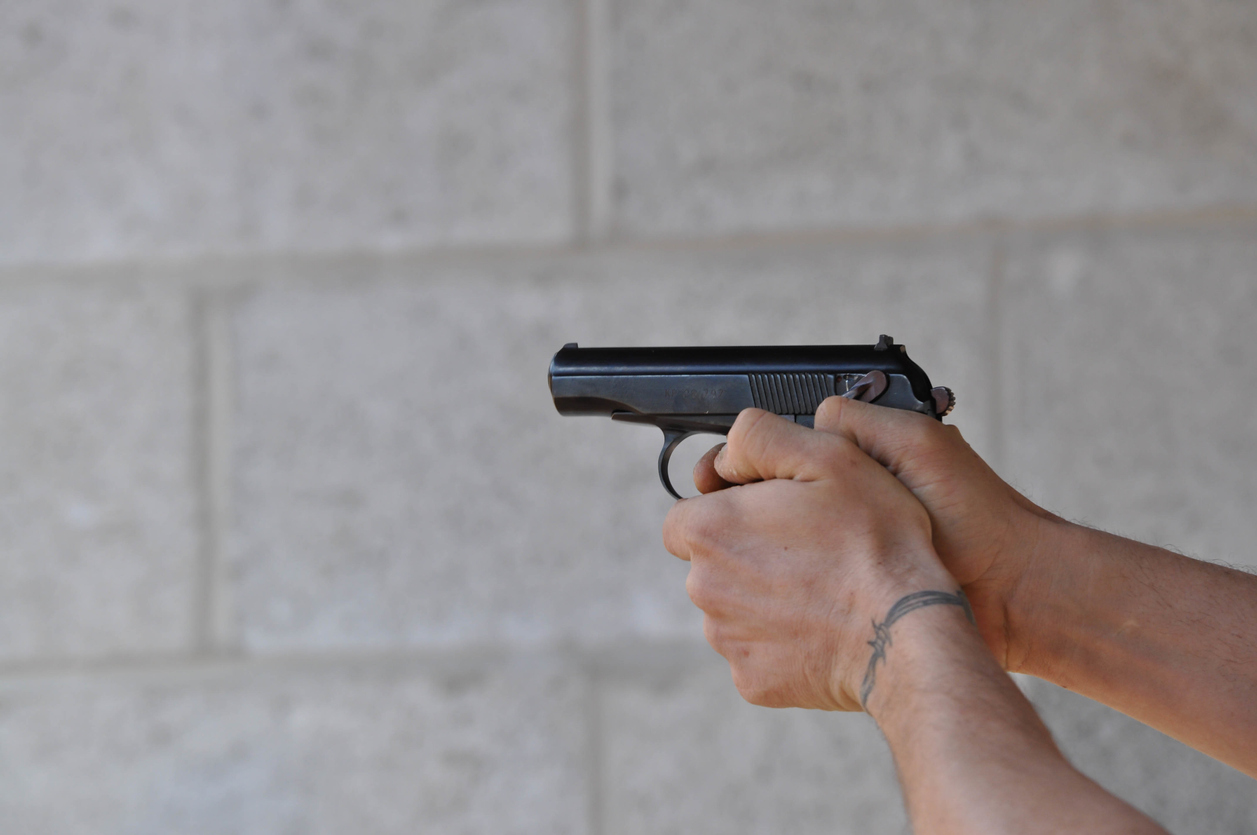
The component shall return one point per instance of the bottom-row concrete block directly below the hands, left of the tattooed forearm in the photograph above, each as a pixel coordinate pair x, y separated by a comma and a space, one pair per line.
684, 754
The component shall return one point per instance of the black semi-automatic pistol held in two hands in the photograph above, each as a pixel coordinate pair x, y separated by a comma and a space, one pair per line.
701, 390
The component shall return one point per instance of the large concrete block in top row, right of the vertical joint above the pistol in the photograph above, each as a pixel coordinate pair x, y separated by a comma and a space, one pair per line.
731, 116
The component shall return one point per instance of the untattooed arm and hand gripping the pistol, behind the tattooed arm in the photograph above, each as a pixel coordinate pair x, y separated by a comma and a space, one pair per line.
1166, 639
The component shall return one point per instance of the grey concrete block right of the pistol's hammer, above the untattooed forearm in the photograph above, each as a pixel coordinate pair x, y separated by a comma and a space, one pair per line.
1132, 384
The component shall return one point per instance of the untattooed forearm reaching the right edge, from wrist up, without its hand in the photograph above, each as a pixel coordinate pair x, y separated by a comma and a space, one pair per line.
1157, 636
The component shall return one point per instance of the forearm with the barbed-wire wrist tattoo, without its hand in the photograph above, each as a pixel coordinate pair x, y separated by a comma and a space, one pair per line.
972, 755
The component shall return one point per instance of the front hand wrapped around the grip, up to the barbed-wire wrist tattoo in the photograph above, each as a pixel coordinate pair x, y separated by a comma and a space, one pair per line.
796, 567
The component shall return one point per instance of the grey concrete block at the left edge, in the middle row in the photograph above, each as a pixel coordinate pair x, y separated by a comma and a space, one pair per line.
99, 509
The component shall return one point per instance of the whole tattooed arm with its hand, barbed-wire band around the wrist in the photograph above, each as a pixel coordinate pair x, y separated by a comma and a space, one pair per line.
819, 578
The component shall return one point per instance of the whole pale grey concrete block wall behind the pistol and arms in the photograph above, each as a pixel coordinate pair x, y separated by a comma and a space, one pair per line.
294, 540
